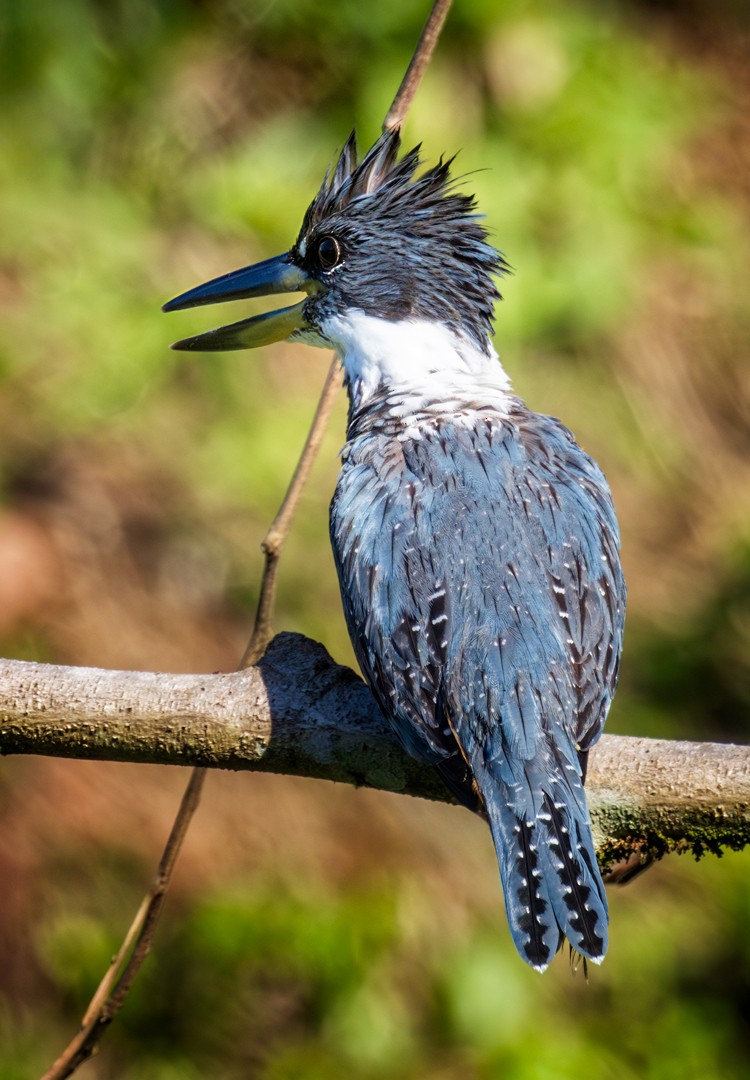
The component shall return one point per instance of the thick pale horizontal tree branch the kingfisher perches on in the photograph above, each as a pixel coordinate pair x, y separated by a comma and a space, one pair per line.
299, 713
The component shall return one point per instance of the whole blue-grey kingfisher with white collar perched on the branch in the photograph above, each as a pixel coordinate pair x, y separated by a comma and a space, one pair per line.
476, 543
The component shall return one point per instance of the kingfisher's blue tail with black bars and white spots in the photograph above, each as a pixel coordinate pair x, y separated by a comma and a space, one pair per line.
551, 879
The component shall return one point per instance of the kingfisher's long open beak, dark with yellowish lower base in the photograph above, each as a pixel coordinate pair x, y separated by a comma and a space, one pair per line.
274, 276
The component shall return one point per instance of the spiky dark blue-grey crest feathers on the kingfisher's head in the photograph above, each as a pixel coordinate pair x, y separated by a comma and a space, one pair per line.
419, 249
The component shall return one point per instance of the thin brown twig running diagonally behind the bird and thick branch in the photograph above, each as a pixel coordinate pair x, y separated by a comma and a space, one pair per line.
113, 991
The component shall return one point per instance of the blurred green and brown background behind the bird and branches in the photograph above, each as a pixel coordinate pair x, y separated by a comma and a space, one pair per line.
316, 931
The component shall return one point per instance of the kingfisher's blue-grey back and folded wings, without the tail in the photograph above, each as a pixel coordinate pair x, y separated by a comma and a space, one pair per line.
484, 560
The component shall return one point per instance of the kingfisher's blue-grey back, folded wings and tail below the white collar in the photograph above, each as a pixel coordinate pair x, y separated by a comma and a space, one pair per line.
484, 593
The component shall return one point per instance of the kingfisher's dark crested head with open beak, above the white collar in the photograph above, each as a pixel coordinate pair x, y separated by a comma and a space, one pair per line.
378, 240
